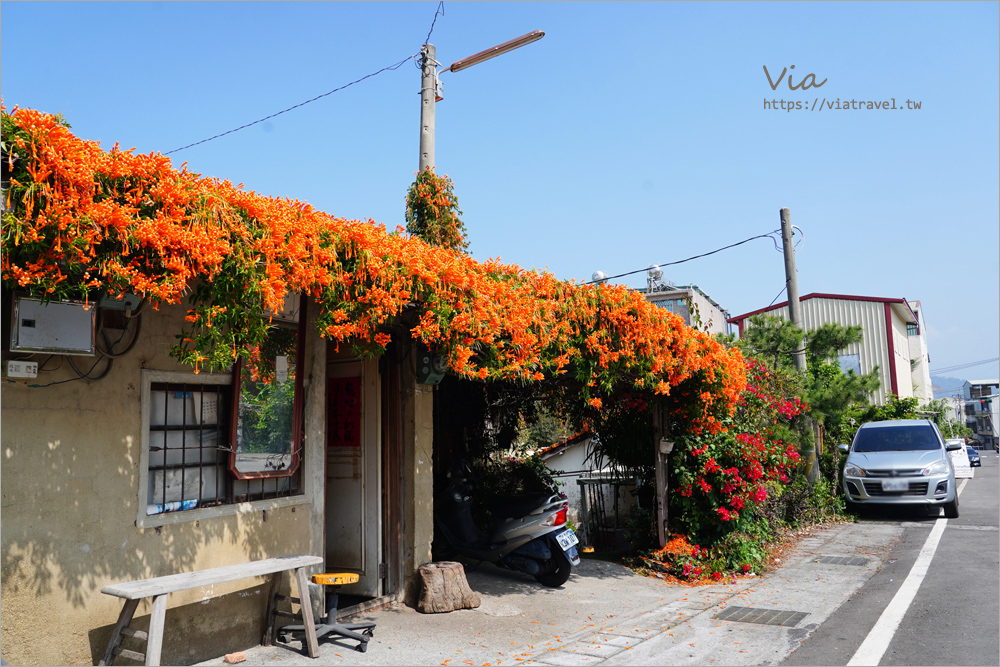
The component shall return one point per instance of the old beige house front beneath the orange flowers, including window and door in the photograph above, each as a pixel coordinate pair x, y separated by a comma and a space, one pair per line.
121, 463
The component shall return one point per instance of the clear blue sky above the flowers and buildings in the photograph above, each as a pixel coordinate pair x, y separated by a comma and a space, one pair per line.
633, 133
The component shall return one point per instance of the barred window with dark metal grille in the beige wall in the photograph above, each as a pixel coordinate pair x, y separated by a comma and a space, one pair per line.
189, 441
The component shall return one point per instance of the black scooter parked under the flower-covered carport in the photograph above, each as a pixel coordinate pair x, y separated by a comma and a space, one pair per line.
529, 532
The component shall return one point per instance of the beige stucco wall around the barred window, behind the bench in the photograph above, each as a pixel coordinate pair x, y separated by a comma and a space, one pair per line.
70, 494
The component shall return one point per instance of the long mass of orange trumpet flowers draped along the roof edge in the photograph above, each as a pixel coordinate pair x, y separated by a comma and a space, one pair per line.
81, 218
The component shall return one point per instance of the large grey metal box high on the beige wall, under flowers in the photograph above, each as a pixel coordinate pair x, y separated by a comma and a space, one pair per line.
57, 327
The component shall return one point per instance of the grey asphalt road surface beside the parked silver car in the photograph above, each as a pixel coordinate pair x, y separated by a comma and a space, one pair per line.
954, 617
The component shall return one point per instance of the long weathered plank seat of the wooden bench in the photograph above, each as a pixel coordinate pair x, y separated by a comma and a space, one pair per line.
157, 586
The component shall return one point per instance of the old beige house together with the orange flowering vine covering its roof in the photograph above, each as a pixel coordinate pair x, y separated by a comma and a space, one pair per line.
170, 405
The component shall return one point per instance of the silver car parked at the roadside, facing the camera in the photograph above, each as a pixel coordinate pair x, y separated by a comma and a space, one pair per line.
900, 462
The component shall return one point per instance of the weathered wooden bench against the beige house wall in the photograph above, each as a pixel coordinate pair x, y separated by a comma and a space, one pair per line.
159, 587
